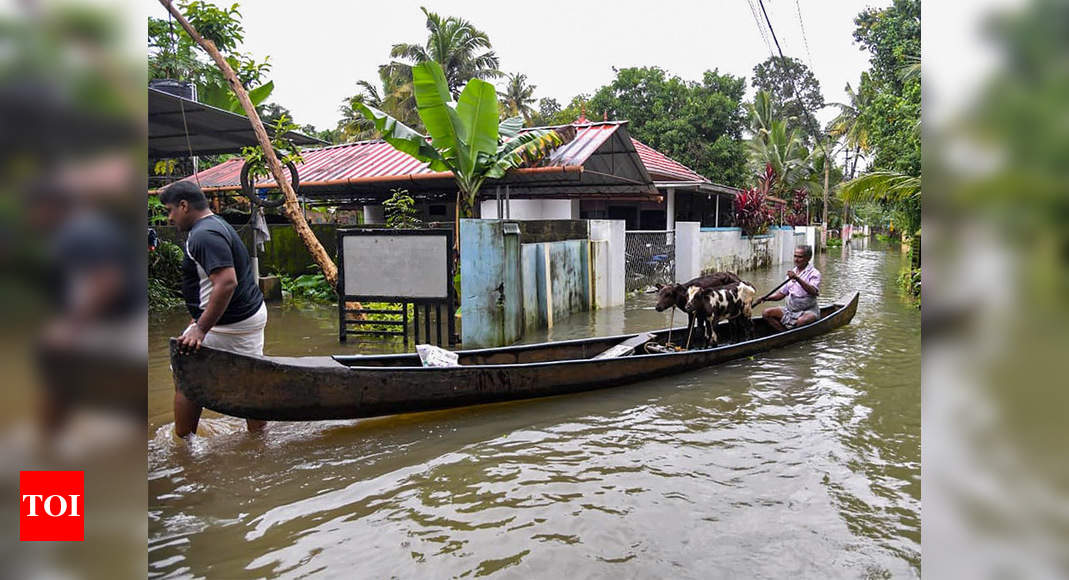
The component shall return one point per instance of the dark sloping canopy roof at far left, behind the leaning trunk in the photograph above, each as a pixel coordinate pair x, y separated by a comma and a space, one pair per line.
210, 131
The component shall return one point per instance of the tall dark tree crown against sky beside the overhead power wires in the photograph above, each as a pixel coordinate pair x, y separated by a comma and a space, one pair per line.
795, 92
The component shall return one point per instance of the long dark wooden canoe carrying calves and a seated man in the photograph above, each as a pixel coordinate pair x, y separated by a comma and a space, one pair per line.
349, 387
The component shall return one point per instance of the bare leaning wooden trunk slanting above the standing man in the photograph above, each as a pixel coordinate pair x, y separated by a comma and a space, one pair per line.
291, 208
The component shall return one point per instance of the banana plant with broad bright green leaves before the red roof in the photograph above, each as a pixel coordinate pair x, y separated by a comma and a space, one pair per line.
466, 138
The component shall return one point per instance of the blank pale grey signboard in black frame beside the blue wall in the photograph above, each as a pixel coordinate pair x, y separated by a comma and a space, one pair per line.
383, 265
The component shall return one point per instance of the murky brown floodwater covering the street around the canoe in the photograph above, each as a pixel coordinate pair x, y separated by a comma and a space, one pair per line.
803, 462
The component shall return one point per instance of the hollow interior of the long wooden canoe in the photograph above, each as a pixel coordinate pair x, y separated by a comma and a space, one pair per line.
585, 349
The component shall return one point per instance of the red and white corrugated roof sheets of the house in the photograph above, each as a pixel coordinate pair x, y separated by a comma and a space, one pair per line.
379, 160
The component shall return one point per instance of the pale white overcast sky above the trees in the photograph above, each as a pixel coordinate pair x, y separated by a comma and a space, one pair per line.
320, 49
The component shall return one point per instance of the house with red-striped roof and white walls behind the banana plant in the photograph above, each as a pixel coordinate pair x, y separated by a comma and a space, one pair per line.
603, 174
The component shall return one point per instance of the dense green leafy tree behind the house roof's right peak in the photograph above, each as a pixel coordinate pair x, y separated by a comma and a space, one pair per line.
699, 124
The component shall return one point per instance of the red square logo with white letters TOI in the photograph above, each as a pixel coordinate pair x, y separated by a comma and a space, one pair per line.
52, 506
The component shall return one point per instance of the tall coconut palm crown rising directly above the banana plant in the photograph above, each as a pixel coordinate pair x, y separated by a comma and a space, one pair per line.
462, 51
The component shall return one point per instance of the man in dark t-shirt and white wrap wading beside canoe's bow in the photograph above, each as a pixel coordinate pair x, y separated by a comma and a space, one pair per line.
223, 296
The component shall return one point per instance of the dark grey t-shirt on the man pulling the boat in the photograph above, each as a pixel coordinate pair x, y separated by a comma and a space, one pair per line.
212, 245
